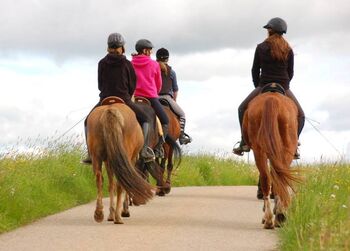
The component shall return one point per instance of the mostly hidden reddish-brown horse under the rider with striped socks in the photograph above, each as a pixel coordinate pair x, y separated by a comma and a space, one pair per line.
174, 132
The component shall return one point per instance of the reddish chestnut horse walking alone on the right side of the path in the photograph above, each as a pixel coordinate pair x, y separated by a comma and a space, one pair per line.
270, 129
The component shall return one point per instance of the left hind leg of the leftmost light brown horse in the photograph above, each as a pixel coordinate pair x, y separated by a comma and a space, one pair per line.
98, 216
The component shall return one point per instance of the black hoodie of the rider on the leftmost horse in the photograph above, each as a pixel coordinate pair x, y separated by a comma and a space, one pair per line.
116, 77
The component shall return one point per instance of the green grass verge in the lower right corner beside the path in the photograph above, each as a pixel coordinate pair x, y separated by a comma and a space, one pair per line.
319, 217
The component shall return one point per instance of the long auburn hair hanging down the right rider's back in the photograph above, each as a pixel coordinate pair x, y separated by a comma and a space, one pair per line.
279, 46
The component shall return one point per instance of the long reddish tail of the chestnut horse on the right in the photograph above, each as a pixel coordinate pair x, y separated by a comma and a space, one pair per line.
270, 138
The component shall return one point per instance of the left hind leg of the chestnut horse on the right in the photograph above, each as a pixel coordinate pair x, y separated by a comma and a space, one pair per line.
261, 163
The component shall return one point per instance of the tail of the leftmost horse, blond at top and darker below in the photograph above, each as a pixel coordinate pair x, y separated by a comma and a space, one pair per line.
112, 122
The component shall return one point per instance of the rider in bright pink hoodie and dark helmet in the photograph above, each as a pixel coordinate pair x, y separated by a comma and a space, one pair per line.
149, 83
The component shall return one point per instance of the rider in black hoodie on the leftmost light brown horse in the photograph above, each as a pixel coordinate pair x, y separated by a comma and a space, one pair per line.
116, 77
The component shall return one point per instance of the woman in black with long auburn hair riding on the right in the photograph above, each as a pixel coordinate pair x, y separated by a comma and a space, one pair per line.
273, 62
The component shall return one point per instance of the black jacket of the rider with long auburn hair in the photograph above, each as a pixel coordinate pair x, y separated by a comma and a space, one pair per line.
266, 69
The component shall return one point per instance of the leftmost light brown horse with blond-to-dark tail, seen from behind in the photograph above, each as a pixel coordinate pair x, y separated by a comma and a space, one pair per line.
115, 138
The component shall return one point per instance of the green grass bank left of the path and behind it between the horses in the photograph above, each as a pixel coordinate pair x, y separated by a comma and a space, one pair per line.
51, 180
